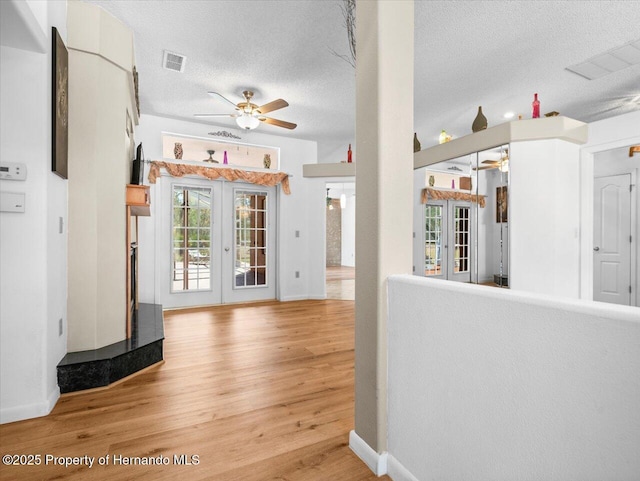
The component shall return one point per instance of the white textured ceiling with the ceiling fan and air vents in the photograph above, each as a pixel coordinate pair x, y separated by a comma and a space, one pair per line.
467, 53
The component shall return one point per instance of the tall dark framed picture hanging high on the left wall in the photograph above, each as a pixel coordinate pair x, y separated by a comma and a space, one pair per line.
60, 106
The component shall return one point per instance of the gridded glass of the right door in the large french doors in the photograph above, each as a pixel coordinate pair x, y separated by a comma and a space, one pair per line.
251, 239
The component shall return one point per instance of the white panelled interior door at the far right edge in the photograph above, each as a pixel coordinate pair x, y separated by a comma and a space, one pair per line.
612, 239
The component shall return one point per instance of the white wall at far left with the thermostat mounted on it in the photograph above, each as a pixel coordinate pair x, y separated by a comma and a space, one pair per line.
33, 288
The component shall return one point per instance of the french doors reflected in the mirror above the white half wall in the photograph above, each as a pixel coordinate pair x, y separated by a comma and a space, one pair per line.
448, 240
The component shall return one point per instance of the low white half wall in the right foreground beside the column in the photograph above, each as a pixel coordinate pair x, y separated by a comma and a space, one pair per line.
490, 384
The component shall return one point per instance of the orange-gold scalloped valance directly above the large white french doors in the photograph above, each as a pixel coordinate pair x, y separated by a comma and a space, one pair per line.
260, 178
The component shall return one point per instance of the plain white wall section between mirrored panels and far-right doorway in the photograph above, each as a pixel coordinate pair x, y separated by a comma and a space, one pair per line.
544, 220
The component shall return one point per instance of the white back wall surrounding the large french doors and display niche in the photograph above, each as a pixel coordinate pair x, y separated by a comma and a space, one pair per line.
297, 211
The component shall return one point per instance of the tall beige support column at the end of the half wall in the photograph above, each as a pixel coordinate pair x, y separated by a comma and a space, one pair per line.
384, 183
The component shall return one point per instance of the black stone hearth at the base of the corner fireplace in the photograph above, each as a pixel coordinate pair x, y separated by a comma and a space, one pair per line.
101, 367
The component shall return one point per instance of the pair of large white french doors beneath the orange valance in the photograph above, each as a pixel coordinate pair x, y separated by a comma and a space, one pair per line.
222, 243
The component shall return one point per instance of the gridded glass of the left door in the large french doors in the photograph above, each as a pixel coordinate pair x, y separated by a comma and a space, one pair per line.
191, 239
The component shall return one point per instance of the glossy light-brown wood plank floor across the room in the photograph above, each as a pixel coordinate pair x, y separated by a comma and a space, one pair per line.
256, 392
